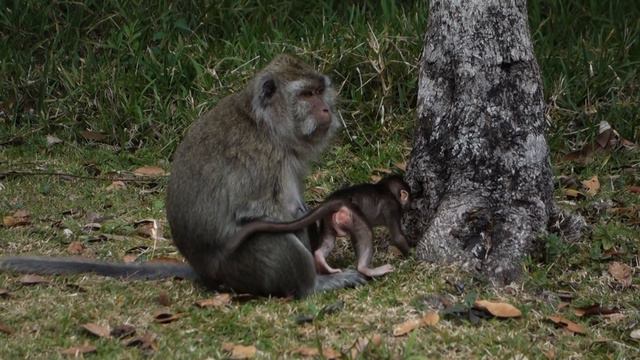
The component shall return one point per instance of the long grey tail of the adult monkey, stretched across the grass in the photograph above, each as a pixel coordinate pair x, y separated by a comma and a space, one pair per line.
70, 265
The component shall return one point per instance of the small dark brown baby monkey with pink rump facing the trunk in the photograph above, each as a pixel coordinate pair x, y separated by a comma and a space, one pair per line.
351, 211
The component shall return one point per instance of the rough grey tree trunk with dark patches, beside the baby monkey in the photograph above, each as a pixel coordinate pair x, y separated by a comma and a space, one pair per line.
479, 169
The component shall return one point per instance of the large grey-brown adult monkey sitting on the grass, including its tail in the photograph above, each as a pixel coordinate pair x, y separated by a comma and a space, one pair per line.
243, 160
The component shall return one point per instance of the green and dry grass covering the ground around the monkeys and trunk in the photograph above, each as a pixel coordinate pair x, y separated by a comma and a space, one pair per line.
139, 73
